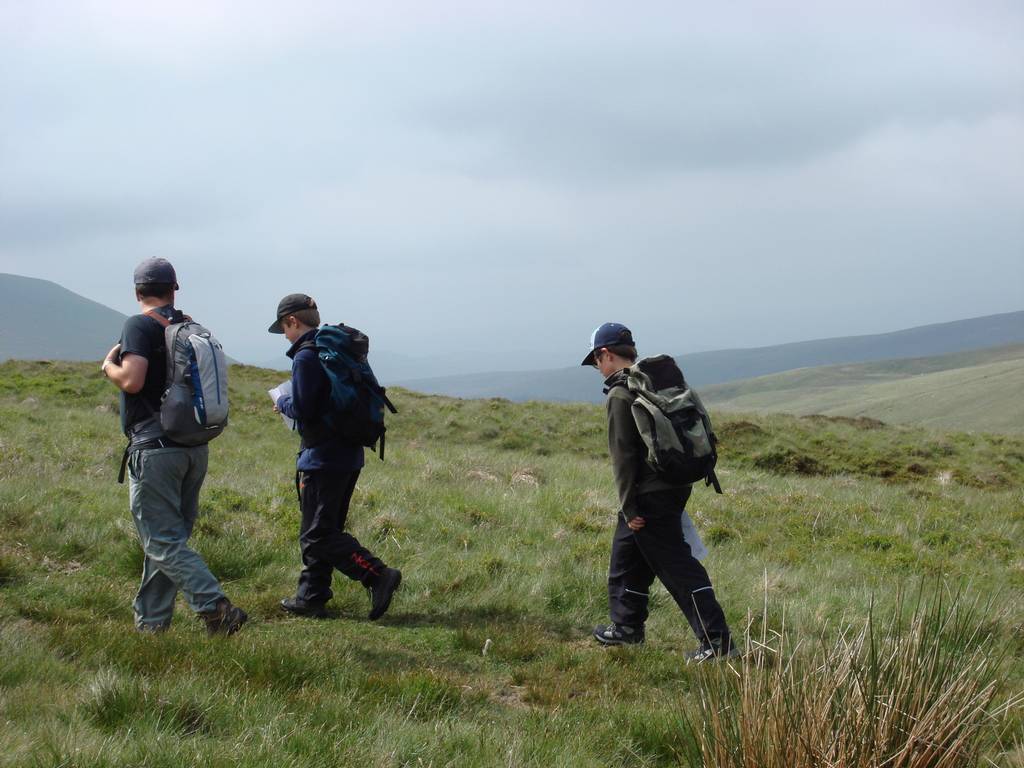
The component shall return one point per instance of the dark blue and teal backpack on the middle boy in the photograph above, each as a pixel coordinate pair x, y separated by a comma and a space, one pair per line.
358, 400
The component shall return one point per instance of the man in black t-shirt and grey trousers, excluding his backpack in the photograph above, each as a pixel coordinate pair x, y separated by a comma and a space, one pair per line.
164, 478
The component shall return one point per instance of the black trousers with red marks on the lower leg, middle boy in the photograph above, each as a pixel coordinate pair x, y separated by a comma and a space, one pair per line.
324, 499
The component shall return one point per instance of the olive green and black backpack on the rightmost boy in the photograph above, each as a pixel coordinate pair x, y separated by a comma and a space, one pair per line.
673, 422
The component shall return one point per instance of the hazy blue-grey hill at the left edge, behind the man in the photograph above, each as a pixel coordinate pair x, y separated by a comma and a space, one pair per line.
39, 320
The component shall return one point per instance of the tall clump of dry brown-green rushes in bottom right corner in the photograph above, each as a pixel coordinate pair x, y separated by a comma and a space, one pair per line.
921, 690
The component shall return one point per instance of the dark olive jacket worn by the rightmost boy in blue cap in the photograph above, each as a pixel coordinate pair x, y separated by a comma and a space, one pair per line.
634, 478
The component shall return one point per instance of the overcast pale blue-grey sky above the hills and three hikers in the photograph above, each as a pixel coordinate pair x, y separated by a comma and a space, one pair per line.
494, 180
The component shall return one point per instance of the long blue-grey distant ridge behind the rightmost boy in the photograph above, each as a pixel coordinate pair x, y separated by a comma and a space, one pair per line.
706, 369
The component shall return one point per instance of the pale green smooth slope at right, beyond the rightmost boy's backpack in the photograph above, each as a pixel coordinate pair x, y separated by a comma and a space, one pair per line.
978, 391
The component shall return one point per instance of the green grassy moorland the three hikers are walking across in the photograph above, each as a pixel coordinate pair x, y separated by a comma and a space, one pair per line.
500, 517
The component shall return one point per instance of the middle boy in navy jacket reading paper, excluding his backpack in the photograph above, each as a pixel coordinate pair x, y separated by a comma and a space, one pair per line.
328, 468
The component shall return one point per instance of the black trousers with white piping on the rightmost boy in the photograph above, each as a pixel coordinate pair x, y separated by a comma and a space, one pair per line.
659, 550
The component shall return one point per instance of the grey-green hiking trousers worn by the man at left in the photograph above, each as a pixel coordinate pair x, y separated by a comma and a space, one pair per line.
164, 486
